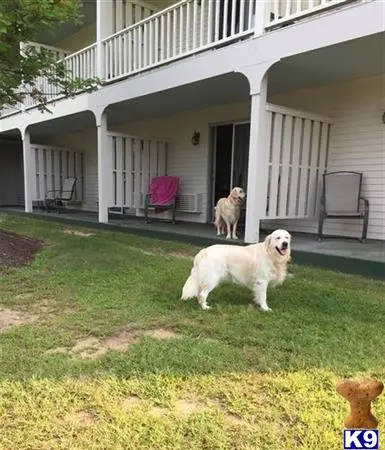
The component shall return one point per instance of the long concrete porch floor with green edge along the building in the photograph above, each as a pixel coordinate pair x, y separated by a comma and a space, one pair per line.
336, 253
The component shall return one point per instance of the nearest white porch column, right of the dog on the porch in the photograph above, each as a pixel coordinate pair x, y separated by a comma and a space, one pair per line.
258, 165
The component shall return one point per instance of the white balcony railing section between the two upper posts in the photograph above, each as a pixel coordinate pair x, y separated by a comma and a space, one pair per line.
187, 27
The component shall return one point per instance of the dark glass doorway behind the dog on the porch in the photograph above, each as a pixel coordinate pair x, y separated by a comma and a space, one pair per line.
230, 159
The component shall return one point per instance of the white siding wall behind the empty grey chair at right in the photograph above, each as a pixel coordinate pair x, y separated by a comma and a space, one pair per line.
357, 143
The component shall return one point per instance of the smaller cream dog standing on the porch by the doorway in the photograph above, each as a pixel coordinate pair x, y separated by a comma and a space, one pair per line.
228, 211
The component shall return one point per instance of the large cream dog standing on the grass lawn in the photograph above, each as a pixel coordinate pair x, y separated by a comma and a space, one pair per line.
254, 266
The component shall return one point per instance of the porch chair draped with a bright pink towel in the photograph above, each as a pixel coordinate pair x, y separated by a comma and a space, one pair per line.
162, 195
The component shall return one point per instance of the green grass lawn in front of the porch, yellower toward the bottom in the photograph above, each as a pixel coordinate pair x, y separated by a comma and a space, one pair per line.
111, 358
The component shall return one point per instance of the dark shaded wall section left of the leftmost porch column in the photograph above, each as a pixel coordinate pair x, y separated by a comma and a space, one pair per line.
11, 174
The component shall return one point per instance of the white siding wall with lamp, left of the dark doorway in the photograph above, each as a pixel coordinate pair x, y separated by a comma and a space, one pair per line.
190, 163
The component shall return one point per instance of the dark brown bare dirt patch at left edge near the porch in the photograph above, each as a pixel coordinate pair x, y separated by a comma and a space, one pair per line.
17, 250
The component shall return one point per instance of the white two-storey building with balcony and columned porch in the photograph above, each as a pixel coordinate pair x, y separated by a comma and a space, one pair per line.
266, 95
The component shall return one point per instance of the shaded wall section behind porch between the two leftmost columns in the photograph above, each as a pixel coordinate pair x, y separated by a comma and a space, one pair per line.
85, 141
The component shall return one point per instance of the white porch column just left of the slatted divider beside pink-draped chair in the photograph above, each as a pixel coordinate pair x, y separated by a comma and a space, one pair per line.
104, 169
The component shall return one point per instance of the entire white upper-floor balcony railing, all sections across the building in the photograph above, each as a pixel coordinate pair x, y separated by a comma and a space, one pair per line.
185, 28
